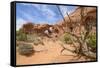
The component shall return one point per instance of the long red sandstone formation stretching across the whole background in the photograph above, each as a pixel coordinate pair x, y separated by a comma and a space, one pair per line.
63, 26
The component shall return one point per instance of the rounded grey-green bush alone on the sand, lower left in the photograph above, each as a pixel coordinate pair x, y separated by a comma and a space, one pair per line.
26, 49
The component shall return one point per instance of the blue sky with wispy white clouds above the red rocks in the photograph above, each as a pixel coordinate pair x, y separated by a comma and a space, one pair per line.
39, 13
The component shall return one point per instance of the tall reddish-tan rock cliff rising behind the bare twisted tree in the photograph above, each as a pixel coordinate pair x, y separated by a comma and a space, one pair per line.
75, 21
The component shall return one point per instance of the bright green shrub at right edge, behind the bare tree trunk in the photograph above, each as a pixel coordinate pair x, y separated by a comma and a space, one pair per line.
91, 40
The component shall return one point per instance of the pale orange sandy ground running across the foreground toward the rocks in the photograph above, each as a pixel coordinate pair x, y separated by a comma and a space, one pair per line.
50, 53
